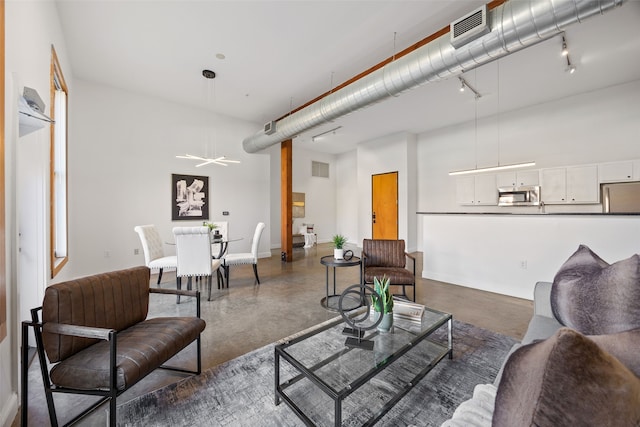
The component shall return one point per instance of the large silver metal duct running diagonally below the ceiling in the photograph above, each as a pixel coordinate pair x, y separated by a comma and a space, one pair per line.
514, 25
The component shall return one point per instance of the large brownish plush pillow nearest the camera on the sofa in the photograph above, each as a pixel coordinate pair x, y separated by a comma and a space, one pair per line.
566, 380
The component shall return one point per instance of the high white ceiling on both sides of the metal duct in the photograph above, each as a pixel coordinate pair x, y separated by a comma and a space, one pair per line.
278, 54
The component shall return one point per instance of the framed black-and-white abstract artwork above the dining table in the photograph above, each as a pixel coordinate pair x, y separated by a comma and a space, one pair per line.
189, 197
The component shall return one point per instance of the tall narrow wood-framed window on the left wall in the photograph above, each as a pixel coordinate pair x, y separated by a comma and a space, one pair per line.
58, 174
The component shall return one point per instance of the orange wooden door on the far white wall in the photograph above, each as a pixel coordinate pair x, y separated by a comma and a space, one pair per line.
384, 201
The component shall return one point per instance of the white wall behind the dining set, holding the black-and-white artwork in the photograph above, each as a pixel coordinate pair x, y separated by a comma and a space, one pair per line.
122, 152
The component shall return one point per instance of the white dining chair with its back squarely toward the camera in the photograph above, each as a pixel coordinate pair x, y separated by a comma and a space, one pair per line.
193, 251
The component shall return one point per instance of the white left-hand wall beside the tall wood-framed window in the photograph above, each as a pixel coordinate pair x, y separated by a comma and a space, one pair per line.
31, 28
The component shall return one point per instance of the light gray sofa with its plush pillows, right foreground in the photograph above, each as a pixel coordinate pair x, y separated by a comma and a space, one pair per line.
578, 363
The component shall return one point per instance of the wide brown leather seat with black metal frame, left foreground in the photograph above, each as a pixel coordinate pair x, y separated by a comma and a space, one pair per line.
98, 340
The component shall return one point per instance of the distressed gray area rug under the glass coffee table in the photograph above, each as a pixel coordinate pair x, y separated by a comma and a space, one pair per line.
241, 392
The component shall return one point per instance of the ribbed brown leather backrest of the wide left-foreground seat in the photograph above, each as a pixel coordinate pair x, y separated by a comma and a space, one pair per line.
114, 300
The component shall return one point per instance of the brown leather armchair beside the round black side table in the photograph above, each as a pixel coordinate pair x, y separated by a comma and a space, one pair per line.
388, 258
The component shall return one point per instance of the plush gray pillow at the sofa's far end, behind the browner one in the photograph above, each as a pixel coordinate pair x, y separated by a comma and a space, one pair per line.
596, 298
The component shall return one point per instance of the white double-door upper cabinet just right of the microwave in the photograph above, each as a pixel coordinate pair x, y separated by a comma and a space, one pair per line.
577, 184
